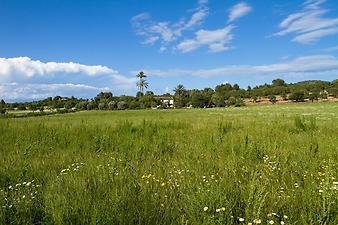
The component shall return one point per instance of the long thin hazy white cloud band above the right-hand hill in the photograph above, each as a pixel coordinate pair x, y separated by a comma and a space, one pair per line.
302, 66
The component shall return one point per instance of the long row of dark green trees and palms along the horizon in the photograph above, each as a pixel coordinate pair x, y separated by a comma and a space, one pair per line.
222, 95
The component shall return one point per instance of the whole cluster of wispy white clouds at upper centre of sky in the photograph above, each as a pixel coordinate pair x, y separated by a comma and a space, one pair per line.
166, 32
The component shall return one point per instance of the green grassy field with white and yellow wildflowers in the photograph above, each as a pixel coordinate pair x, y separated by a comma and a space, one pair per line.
273, 164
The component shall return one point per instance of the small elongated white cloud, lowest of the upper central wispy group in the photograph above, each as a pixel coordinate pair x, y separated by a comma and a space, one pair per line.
214, 39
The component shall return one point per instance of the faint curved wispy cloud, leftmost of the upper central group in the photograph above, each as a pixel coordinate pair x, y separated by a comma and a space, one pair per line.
167, 32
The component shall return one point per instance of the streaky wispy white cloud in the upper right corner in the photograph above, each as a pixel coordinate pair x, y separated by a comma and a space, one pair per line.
309, 24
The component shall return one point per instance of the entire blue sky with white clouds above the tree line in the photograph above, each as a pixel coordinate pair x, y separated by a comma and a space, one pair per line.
61, 47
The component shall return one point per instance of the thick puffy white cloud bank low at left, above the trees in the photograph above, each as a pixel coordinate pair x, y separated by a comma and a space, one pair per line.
24, 77
